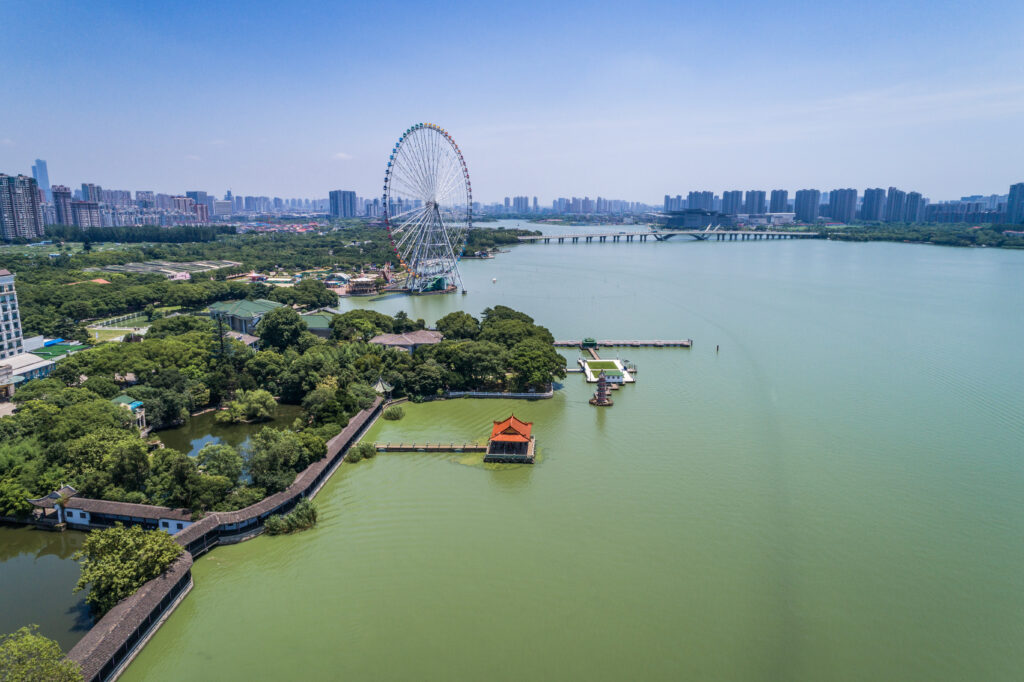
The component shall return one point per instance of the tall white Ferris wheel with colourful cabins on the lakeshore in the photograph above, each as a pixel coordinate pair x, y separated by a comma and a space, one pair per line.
429, 207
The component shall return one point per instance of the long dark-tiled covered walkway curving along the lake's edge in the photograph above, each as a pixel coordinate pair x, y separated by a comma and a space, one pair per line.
115, 641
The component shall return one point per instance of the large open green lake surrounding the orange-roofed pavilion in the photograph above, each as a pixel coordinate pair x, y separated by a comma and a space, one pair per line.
835, 495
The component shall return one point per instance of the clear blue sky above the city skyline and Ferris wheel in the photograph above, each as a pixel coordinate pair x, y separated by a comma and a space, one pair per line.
628, 101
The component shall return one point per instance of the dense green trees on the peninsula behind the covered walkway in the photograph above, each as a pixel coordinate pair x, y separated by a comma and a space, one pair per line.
68, 431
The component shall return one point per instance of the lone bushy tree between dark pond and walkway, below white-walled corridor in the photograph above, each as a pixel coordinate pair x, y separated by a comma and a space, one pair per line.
119, 561
